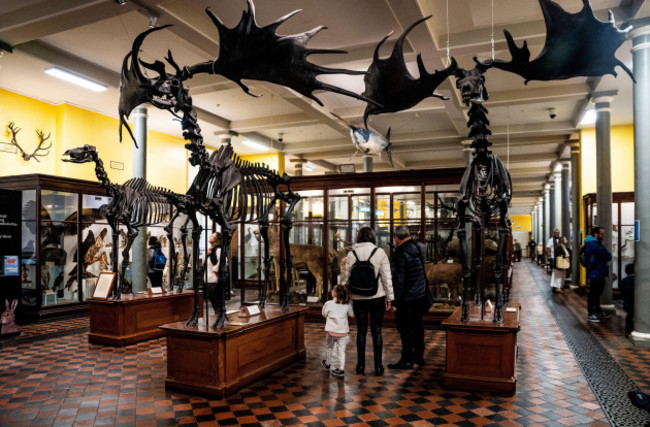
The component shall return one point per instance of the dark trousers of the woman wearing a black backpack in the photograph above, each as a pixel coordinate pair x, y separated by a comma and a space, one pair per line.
363, 309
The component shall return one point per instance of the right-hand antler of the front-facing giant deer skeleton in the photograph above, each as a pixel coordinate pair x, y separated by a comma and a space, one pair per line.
576, 44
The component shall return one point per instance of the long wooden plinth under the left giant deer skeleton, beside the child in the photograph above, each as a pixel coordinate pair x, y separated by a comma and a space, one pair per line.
218, 362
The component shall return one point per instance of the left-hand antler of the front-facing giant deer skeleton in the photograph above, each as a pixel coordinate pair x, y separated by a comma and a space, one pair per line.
390, 85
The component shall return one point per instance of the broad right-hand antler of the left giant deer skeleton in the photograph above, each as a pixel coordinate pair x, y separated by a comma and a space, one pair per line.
248, 51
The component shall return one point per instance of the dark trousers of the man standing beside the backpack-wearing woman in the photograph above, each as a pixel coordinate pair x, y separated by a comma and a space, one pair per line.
409, 320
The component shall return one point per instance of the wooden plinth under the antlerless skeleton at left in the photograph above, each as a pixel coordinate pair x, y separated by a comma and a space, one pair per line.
135, 318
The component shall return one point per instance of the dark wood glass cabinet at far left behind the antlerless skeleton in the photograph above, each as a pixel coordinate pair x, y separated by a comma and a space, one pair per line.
59, 216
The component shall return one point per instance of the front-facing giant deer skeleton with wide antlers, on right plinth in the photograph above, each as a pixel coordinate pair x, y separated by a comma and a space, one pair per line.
576, 45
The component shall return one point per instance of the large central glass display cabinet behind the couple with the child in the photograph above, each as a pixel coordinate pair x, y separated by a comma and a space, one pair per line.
332, 209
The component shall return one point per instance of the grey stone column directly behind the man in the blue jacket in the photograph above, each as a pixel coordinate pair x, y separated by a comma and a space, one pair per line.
602, 102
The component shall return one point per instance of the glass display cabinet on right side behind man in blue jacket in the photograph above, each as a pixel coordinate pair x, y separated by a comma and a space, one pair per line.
622, 229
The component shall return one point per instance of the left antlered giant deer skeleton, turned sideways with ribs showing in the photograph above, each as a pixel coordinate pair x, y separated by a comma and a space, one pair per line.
224, 184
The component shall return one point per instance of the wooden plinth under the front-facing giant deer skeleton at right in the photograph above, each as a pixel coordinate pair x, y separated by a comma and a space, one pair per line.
481, 354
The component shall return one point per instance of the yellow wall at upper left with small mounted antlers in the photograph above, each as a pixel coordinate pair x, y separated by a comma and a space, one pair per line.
71, 126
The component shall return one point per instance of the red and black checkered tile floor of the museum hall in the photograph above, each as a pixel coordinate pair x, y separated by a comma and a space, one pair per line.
67, 381
